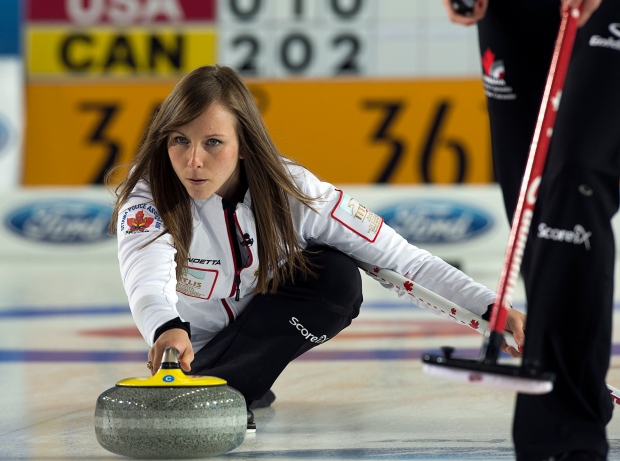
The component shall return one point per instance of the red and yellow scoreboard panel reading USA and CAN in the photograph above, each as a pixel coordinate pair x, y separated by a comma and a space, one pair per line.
69, 38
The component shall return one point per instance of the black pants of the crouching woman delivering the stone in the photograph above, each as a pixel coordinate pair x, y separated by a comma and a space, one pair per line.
274, 329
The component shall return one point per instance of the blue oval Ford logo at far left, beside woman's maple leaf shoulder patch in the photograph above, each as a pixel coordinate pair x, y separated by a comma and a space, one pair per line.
65, 221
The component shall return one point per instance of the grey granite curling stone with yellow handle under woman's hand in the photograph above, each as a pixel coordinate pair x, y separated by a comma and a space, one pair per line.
170, 415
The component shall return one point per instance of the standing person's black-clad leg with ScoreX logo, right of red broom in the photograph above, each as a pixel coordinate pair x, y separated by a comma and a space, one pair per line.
570, 270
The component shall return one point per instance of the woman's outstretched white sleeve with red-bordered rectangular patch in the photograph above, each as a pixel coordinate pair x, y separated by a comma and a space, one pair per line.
343, 223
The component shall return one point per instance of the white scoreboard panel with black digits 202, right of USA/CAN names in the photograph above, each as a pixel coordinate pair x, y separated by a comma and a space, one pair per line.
391, 38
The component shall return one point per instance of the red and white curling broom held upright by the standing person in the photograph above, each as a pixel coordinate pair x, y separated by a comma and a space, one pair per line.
486, 370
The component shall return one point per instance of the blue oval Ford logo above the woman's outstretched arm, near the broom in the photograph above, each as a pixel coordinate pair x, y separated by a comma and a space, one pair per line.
436, 221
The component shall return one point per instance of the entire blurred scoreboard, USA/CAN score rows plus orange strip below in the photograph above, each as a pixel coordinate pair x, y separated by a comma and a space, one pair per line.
359, 91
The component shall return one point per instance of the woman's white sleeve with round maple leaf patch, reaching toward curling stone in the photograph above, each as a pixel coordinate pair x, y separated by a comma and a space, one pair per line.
147, 269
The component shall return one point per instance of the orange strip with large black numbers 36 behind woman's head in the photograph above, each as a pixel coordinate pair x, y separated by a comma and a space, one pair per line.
347, 131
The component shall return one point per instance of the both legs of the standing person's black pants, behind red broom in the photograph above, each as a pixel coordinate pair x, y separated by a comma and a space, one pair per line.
569, 262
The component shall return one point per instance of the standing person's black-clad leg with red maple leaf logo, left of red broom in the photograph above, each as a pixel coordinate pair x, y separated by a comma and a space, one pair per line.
516, 40
